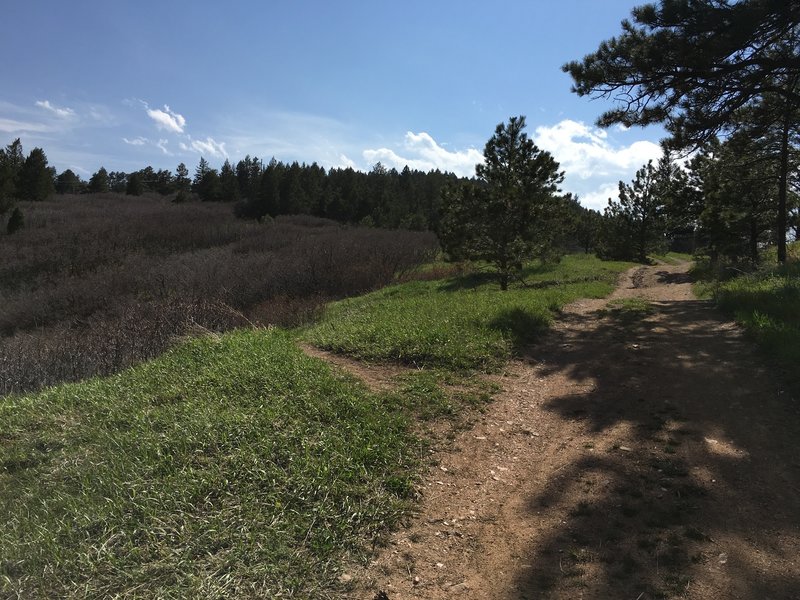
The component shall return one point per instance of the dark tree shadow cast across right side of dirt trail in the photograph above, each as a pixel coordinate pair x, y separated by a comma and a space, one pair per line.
692, 489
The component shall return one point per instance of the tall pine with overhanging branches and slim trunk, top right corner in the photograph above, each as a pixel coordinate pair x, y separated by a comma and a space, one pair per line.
696, 66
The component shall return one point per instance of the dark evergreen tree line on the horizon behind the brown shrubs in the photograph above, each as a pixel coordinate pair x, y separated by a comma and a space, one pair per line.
407, 199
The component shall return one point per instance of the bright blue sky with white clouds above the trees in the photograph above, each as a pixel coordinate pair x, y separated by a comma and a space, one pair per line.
126, 85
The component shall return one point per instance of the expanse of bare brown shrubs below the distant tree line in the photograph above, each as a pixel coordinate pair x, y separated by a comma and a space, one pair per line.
94, 284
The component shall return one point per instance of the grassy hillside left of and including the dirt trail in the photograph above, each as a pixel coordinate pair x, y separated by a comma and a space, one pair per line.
539, 442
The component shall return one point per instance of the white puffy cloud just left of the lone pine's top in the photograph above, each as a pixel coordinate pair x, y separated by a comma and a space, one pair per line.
422, 152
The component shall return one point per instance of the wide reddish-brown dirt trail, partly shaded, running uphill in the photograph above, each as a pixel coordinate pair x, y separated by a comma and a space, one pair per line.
652, 456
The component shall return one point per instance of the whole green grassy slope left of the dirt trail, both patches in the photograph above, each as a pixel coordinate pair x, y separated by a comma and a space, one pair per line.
235, 465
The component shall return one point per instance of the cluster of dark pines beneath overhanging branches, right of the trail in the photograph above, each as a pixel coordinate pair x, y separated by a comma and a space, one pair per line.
722, 203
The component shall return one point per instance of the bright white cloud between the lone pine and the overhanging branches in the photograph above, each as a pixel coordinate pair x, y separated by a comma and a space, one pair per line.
593, 162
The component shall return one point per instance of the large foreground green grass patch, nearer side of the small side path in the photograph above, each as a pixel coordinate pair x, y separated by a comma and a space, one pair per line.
230, 467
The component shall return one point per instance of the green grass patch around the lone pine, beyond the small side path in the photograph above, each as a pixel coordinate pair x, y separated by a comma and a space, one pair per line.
461, 323
